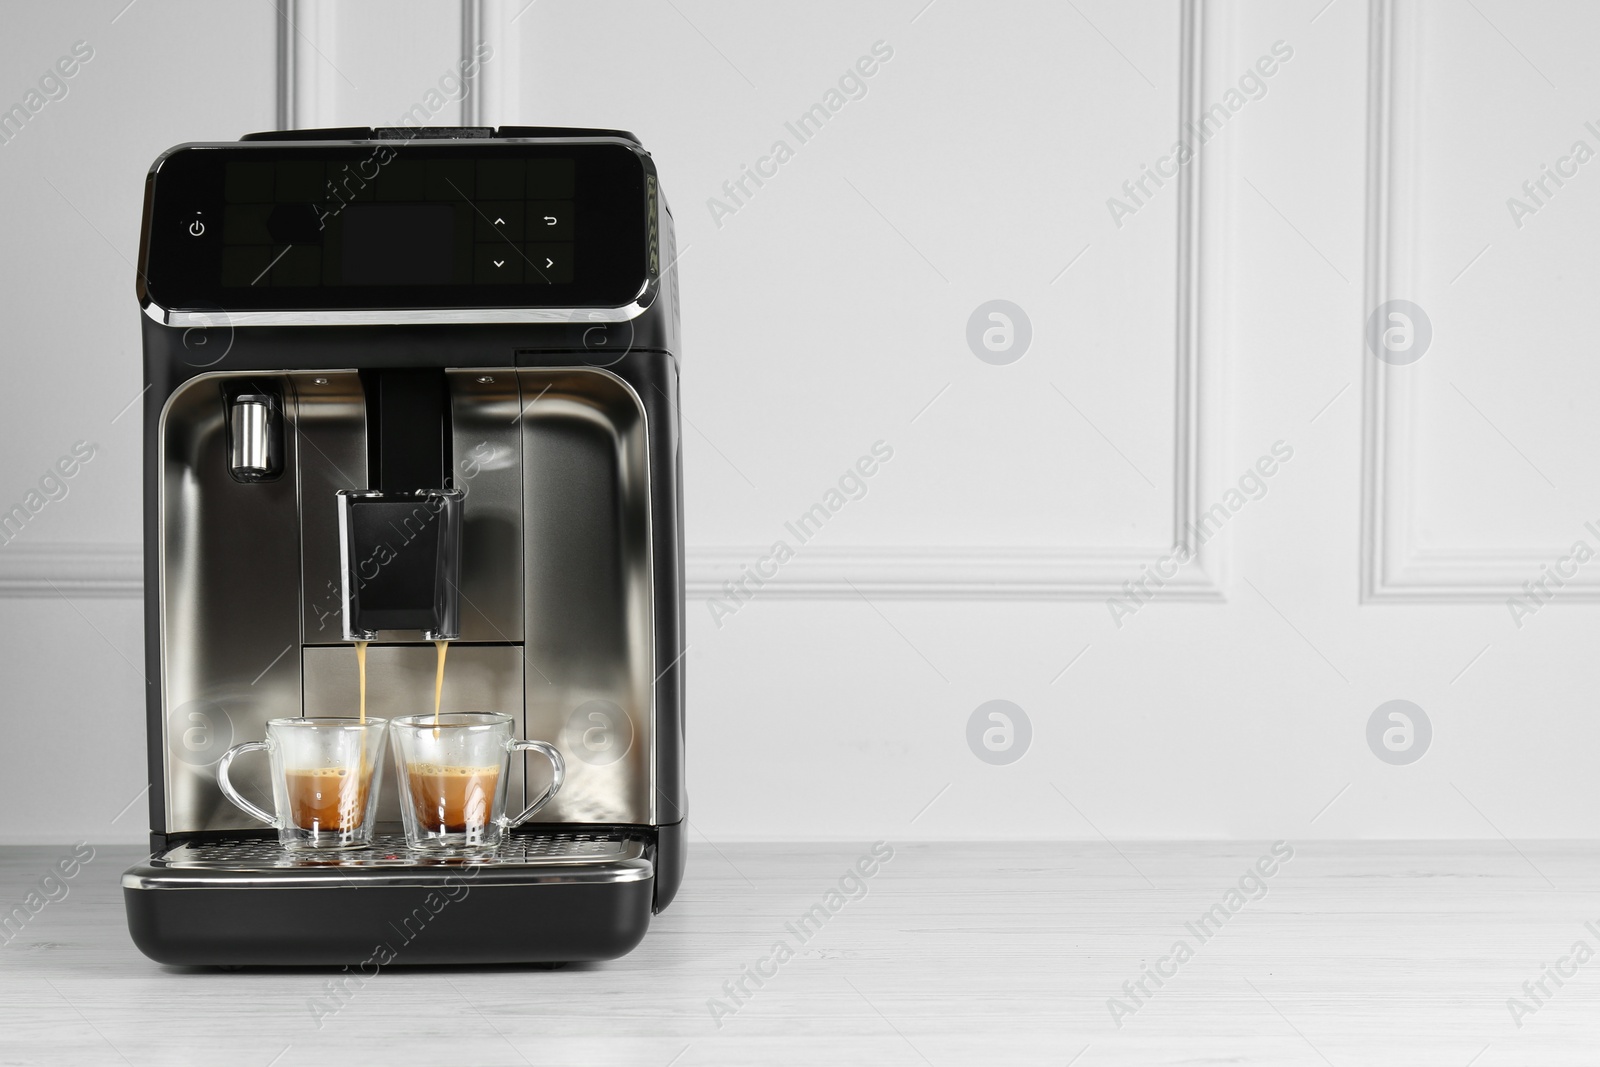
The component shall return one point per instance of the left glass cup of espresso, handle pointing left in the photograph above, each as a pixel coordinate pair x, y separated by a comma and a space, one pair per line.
326, 780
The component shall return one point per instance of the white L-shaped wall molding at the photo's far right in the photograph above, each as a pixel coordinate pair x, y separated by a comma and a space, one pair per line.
1394, 565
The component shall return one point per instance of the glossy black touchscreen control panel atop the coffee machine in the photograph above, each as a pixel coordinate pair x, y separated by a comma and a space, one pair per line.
282, 226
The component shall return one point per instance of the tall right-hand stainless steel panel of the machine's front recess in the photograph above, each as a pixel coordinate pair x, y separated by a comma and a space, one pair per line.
590, 613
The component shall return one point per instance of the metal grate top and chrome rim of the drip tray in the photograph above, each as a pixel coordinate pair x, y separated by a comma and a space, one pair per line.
522, 858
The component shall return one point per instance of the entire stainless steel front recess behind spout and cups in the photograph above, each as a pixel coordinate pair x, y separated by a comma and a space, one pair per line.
558, 599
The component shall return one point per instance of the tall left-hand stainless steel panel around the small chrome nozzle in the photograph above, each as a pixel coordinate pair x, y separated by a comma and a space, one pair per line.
230, 604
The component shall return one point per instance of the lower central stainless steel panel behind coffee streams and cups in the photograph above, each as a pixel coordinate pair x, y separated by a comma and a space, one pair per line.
401, 682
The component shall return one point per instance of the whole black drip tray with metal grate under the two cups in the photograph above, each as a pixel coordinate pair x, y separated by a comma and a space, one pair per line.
546, 897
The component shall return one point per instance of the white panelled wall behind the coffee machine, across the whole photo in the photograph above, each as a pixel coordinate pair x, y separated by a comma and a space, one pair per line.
830, 310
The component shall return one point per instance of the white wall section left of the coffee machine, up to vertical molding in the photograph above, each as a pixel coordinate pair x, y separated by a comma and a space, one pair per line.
73, 183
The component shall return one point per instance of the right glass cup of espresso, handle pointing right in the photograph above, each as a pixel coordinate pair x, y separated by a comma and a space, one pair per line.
454, 777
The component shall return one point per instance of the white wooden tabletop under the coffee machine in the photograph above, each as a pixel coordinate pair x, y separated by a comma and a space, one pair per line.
958, 954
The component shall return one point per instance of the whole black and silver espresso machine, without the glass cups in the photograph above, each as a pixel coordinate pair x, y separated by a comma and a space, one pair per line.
409, 386
